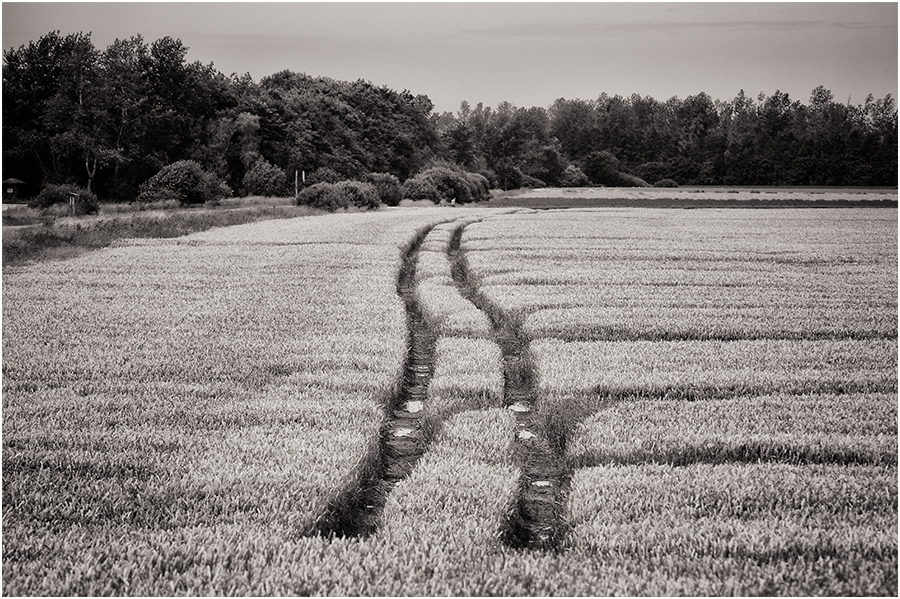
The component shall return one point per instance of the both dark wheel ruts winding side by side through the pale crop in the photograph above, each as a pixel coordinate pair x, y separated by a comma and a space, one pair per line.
536, 519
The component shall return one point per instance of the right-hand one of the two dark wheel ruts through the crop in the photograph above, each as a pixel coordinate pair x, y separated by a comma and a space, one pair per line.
537, 520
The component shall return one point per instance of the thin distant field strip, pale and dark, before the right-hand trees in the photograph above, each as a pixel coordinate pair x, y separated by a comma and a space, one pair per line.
699, 197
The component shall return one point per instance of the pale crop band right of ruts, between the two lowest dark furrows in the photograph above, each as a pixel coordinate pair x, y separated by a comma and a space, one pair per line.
835, 429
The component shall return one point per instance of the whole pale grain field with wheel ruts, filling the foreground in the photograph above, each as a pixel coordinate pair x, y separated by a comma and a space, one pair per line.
598, 401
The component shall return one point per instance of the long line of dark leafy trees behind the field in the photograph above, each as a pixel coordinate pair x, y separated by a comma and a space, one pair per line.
109, 120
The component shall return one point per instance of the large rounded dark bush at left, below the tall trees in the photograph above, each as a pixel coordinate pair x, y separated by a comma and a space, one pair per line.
184, 181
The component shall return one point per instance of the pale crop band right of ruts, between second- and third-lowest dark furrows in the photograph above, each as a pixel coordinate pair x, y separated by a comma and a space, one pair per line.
713, 369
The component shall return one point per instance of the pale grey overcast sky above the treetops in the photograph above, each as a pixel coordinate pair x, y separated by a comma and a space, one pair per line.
525, 53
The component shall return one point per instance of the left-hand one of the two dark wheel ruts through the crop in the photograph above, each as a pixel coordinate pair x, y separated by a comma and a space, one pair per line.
405, 433
